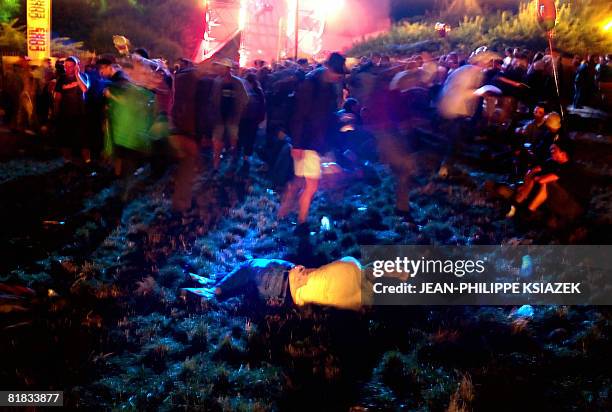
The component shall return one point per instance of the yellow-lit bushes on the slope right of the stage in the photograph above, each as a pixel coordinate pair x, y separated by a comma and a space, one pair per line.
578, 30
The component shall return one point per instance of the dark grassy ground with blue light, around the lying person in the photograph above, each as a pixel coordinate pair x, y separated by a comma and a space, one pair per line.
103, 317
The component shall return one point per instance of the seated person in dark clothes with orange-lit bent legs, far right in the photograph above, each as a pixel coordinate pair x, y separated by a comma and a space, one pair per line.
558, 184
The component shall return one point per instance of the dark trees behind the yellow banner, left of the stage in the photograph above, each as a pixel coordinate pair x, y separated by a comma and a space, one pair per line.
168, 28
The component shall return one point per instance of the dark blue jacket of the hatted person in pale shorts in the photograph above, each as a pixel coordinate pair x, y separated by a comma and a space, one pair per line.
314, 119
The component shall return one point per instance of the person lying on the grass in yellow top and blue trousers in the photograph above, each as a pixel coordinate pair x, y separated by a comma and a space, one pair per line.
280, 283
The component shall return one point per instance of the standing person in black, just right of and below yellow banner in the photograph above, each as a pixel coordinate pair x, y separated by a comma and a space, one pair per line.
69, 99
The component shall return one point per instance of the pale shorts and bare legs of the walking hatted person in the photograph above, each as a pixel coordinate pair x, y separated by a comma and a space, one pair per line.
307, 167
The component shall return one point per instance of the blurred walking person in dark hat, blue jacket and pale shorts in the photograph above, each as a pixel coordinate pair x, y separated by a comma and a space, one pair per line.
312, 124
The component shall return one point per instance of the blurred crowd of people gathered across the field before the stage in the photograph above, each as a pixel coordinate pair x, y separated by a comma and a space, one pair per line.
297, 114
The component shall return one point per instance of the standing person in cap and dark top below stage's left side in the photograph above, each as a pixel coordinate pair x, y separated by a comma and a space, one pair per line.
228, 100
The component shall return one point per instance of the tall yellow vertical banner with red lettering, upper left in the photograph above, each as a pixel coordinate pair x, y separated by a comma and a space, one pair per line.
39, 29
